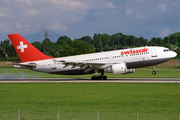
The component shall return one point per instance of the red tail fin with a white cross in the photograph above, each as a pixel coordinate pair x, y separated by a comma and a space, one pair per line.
26, 51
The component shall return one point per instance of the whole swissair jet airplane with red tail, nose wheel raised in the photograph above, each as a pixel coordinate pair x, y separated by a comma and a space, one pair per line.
117, 62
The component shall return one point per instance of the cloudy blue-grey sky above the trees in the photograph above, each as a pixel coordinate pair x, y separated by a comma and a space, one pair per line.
78, 18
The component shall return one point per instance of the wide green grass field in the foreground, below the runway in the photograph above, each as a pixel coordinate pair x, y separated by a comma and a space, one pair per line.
81, 100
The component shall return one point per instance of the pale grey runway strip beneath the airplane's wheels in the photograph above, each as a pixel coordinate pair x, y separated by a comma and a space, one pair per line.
86, 80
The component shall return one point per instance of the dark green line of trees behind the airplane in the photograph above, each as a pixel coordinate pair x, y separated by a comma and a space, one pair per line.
65, 46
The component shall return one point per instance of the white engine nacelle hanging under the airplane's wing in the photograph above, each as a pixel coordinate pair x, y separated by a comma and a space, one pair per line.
119, 69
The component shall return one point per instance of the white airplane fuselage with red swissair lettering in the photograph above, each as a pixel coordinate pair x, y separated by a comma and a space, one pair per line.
133, 57
